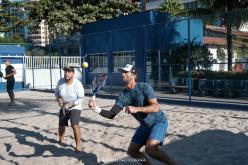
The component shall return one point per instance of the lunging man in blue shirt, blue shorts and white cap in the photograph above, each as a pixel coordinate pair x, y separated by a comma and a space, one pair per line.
139, 100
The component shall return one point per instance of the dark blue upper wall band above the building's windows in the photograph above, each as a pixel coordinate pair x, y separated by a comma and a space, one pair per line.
121, 33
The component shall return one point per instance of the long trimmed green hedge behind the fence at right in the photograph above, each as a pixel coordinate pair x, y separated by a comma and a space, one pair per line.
201, 74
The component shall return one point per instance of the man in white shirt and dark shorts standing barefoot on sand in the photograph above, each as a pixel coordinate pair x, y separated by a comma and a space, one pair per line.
69, 94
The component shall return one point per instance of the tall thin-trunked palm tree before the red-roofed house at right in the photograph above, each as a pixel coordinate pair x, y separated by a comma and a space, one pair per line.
234, 14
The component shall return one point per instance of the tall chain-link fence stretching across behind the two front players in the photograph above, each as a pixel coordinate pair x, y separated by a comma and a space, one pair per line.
191, 58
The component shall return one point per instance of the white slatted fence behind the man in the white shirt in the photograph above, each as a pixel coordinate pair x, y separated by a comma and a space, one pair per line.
43, 72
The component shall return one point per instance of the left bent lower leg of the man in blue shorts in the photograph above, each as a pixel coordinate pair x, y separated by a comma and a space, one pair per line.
133, 151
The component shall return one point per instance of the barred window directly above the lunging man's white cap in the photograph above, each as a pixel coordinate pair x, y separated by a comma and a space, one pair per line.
122, 58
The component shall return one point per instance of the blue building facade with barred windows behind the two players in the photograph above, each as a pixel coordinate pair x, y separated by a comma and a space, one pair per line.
142, 39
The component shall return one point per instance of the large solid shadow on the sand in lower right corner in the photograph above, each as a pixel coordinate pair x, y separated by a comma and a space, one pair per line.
211, 147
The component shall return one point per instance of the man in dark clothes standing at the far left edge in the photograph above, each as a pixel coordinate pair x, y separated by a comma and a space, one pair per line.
9, 76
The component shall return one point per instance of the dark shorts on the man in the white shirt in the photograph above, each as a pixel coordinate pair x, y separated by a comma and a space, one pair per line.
73, 115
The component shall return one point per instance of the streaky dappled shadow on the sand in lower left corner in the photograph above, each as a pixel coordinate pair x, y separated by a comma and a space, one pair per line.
41, 149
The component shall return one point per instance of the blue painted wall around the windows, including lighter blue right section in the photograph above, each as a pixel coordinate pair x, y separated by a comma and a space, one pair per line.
139, 32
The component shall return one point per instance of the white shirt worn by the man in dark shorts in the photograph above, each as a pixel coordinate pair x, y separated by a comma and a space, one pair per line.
70, 93
